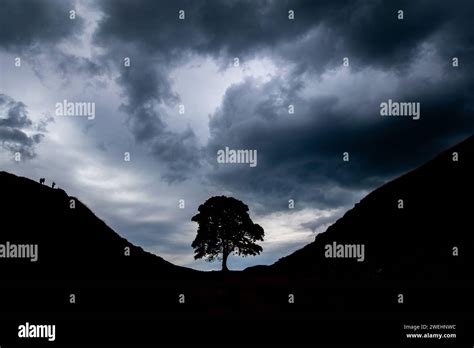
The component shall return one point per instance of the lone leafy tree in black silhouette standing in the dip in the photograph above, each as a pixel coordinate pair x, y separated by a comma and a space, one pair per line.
225, 226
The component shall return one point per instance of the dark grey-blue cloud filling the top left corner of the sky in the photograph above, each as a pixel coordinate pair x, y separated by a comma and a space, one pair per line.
33, 30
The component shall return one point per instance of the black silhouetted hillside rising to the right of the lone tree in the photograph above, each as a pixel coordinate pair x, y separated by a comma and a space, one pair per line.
418, 227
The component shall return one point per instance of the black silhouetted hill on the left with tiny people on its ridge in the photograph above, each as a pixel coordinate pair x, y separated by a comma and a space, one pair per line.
72, 243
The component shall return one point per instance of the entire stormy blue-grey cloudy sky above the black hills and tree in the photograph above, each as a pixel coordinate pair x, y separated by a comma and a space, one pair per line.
335, 63
